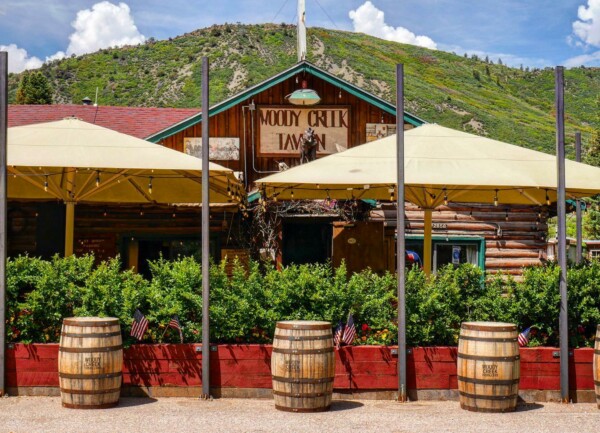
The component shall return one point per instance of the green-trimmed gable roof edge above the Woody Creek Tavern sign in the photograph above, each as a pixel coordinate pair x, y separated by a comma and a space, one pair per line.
303, 66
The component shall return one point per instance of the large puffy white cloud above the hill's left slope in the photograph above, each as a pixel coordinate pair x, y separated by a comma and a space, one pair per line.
104, 25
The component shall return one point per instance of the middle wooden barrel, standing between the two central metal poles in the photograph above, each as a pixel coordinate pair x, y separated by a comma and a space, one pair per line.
303, 366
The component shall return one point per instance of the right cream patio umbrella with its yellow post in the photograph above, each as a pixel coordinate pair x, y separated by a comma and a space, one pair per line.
441, 165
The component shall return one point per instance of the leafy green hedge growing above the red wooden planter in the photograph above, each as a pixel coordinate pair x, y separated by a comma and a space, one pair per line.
246, 306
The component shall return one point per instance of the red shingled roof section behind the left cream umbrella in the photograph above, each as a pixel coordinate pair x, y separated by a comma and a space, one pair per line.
140, 122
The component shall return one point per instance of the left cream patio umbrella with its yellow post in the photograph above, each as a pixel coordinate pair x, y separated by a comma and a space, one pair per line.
76, 161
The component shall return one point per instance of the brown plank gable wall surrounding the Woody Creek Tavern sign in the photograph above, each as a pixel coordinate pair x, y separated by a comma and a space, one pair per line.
239, 121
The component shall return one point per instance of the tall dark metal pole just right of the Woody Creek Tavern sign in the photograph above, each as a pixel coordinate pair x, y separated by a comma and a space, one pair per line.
400, 227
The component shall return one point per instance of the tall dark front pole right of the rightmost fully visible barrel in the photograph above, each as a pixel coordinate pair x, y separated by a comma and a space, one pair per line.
562, 234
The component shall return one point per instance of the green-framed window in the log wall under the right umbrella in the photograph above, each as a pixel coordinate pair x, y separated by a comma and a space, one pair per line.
451, 250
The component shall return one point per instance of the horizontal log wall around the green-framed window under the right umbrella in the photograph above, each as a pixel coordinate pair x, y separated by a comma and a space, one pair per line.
513, 236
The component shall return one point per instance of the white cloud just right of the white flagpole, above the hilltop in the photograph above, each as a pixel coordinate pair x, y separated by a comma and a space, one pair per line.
370, 20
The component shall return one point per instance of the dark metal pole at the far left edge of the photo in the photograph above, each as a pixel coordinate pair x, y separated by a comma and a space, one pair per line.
3, 213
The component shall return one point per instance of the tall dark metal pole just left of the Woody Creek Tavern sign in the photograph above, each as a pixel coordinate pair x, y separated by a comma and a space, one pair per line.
205, 236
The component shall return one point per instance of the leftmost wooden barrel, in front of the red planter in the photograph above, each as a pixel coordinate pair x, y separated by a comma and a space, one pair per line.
90, 362
